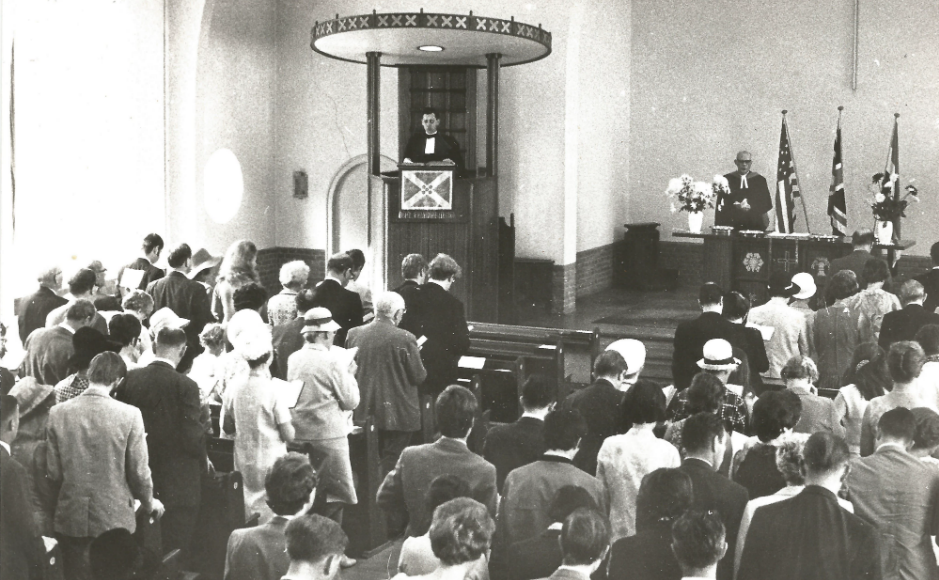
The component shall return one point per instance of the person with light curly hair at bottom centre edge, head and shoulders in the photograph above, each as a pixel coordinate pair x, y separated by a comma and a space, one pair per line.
459, 536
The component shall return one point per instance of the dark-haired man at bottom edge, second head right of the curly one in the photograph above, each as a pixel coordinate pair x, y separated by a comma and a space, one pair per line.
585, 541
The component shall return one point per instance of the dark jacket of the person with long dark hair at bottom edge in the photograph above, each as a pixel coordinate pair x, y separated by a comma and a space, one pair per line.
646, 556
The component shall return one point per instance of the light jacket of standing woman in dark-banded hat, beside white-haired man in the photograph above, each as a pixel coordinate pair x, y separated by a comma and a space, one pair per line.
328, 389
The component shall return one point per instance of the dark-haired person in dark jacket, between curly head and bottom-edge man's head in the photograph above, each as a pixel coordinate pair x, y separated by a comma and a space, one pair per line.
538, 557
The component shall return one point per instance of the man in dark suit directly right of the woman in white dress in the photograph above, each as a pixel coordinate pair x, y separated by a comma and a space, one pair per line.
703, 438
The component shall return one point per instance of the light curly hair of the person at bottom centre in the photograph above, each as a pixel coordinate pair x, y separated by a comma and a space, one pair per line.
461, 531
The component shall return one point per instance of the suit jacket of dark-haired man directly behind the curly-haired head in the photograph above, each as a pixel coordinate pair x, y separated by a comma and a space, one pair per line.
403, 493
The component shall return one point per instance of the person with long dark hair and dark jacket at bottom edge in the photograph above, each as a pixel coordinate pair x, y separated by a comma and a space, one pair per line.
665, 494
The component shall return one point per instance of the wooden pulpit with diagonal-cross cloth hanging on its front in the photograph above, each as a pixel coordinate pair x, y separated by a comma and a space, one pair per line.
432, 211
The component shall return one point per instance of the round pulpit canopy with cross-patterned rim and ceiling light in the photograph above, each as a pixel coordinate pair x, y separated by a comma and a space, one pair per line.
424, 38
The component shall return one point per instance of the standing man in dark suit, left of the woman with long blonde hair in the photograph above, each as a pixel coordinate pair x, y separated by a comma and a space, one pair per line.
188, 299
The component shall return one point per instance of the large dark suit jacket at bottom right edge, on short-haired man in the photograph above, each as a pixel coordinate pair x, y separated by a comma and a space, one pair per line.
809, 537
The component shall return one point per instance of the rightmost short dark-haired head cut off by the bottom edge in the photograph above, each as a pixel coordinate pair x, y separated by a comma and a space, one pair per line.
698, 543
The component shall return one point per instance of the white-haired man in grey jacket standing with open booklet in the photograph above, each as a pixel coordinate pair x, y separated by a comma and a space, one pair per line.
390, 371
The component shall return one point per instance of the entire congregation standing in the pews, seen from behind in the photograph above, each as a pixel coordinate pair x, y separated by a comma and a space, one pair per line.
800, 438
